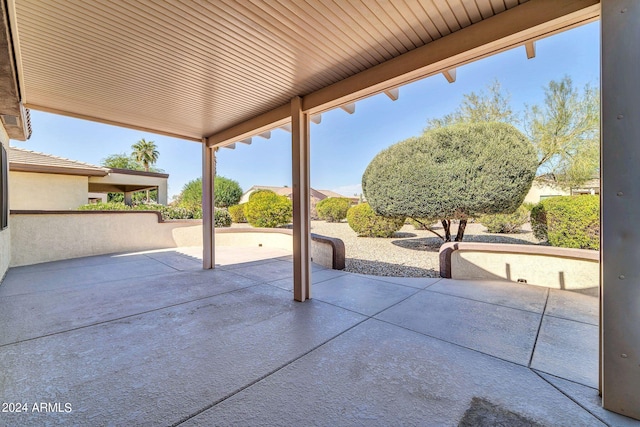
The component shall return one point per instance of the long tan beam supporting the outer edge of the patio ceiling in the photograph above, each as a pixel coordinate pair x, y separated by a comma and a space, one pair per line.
514, 27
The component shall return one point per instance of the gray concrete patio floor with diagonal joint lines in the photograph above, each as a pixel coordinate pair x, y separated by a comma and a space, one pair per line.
152, 339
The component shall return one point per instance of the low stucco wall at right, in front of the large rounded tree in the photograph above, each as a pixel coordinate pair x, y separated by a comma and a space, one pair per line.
559, 268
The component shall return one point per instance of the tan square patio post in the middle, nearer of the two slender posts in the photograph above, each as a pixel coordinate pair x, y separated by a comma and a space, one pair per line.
301, 201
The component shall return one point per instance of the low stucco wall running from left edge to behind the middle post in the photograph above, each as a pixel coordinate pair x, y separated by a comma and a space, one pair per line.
42, 236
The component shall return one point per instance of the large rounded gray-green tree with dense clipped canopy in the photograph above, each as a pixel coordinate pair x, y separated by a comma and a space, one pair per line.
454, 172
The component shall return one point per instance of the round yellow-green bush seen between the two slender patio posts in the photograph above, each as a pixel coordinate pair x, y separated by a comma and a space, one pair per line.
267, 209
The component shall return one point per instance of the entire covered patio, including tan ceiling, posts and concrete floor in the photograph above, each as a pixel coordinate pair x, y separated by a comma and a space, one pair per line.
229, 346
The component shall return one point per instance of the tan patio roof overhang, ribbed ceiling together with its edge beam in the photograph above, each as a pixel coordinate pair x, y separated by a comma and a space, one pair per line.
227, 70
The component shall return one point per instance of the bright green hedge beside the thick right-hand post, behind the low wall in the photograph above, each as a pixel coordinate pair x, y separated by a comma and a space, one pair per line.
568, 221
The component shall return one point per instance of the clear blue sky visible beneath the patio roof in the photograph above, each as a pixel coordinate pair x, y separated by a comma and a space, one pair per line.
342, 145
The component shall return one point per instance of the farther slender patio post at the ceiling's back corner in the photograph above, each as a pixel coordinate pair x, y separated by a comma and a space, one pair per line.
208, 196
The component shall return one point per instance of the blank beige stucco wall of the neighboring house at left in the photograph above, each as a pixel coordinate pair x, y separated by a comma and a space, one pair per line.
43, 191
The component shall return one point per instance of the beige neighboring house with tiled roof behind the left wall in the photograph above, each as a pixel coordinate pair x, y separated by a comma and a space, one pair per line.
40, 181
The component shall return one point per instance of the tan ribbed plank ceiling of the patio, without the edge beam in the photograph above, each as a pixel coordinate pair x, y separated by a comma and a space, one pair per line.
192, 68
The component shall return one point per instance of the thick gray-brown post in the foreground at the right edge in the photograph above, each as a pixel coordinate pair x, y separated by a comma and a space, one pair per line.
620, 208
